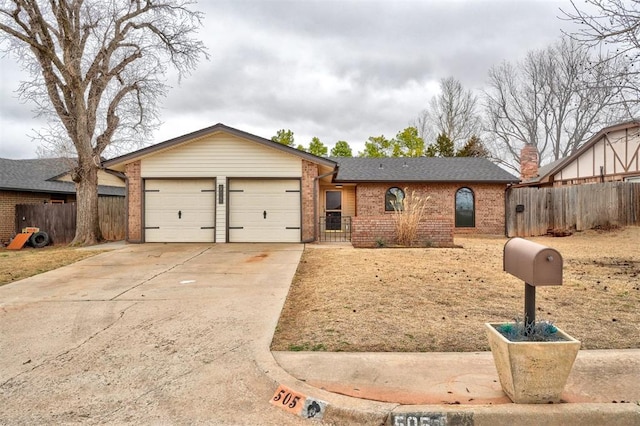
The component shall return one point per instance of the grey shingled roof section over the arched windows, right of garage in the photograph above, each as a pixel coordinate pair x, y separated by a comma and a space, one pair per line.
421, 169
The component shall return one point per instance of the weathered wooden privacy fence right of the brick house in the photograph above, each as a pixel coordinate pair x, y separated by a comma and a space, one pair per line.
539, 211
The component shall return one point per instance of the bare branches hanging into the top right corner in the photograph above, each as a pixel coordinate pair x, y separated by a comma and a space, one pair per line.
612, 27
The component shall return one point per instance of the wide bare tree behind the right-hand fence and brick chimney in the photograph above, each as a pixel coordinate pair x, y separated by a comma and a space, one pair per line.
552, 99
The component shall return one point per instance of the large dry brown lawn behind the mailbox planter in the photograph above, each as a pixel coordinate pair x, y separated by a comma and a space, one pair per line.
436, 300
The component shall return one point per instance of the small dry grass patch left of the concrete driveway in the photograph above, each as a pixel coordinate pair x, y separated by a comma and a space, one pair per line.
18, 264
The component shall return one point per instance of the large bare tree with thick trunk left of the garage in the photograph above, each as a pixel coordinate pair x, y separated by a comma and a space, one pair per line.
98, 69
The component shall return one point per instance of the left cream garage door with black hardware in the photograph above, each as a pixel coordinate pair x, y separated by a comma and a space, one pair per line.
179, 210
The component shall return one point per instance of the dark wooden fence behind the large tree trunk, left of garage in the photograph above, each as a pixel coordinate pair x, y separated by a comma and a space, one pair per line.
59, 220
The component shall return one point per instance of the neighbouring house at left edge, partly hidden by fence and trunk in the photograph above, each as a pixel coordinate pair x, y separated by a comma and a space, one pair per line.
44, 180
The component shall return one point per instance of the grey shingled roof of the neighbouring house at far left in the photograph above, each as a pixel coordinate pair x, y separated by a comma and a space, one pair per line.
39, 175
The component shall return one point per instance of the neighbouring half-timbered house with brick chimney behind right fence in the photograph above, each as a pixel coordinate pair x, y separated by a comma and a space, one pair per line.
613, 154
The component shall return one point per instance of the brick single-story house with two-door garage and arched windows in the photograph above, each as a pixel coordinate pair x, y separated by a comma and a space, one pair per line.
220, 184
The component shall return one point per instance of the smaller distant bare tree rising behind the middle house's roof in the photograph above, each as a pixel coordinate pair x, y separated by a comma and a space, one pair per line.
453, 113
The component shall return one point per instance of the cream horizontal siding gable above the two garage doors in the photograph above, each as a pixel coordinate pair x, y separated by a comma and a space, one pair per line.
221, 154
